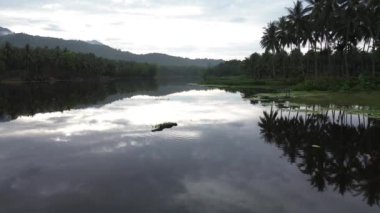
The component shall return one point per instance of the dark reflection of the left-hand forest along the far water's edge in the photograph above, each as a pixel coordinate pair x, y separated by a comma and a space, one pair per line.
29, 99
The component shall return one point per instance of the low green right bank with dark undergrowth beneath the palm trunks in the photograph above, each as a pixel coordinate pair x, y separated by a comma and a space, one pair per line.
354, 95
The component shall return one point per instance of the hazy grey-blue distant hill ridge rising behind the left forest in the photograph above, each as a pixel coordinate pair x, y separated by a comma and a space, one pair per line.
21, 40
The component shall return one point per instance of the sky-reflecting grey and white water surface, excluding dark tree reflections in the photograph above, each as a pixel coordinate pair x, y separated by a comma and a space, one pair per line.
103, 157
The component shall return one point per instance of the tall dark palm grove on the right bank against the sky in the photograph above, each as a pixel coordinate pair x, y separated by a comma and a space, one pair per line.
317, 38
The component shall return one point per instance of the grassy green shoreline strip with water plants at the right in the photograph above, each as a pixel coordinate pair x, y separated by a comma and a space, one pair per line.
277, 91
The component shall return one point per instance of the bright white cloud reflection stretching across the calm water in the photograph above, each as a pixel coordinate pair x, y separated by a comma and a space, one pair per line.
137, 113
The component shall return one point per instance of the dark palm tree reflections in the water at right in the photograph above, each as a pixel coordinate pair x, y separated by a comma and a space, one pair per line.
330, 148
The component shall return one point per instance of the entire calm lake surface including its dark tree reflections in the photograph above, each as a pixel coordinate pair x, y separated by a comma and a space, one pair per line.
89, 147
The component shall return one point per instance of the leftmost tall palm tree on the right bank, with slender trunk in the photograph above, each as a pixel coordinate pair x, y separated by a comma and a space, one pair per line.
270, 42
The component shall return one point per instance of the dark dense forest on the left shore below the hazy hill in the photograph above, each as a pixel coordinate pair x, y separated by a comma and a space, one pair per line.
42, 64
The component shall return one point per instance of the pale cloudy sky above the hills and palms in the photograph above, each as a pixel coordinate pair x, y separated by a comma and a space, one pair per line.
219, 29
